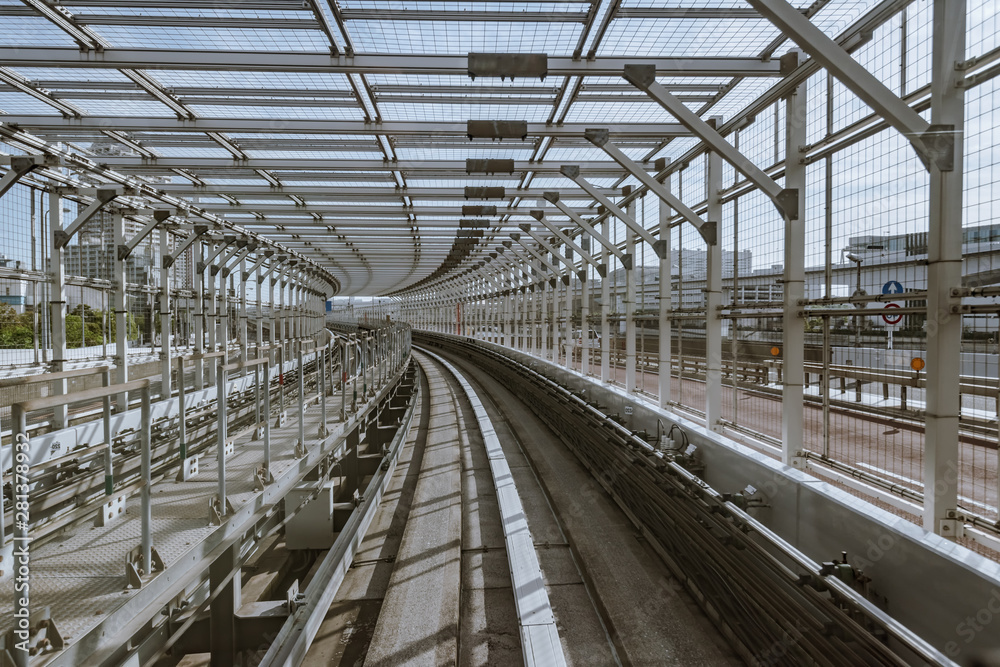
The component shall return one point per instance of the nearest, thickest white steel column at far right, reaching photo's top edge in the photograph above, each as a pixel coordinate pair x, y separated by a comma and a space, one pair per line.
944, 270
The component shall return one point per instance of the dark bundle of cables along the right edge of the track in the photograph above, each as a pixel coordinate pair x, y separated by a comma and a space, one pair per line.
774, 604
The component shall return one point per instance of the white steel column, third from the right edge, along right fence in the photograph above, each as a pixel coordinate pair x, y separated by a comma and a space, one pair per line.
713, 297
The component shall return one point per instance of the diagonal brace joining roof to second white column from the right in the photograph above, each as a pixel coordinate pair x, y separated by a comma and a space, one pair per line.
643, 77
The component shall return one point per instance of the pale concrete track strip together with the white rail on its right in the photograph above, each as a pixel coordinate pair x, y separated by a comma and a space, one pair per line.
448, 572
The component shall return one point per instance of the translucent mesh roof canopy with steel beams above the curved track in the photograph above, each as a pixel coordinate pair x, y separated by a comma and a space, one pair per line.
383, 111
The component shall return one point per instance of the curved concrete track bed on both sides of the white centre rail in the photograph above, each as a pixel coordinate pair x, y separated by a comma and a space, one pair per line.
431, 583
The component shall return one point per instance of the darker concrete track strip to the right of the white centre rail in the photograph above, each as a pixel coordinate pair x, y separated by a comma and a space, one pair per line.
613, 598
